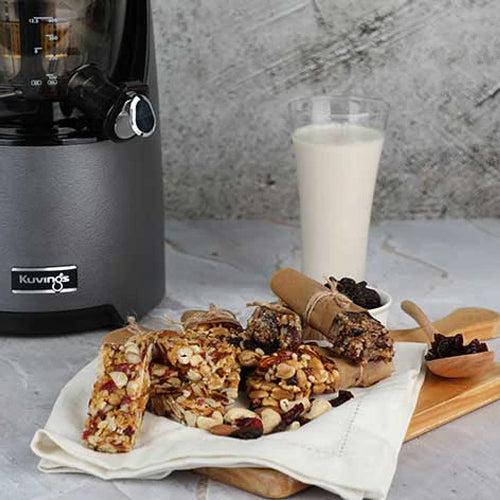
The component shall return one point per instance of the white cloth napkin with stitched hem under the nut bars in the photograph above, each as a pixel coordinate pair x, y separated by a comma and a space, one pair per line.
351, 451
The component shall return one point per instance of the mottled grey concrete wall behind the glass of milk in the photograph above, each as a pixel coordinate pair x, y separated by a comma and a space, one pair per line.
227, 68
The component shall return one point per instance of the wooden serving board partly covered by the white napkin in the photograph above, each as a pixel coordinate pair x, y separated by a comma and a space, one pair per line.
440, 401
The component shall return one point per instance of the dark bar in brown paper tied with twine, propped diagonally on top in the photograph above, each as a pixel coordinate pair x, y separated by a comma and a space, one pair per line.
354, 334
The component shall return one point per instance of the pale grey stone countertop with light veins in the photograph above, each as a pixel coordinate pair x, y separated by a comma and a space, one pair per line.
441, 265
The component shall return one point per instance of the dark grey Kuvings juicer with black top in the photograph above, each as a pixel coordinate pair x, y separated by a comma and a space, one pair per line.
81, 210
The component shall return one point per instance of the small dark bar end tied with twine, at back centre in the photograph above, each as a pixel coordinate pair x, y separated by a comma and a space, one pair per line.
273, 327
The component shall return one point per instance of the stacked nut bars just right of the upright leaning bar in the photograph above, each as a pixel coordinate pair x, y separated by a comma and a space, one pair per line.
207, 375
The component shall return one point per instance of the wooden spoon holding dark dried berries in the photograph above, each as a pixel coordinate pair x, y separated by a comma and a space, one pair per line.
467, 365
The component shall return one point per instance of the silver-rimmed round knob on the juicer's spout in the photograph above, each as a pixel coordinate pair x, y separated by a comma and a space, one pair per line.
136, 118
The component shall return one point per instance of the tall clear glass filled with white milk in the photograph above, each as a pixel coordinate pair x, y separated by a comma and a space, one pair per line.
337, 143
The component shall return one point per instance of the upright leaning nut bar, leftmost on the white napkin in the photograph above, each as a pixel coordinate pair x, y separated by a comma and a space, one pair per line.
120, 393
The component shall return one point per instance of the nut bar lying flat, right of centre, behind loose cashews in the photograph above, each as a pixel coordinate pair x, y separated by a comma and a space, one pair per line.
287, 376
